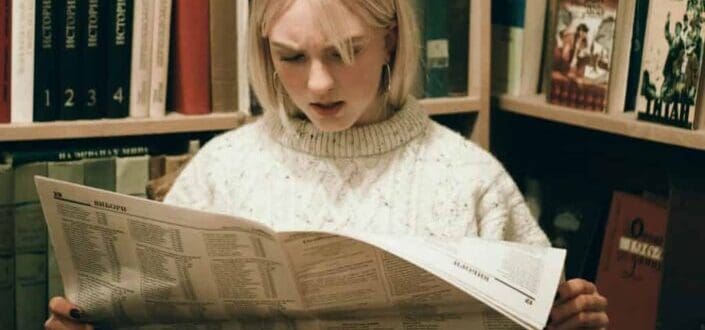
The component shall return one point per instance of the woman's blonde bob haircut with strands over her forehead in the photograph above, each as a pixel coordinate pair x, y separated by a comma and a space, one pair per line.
387, 14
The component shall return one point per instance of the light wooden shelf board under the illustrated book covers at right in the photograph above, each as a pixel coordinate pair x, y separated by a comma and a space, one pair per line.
622, 124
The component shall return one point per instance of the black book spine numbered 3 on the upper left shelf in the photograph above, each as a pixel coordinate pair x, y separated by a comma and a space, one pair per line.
94, 47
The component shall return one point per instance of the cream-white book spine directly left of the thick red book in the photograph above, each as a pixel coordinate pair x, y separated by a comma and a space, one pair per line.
160, 57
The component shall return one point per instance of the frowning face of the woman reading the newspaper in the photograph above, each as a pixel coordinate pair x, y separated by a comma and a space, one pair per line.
333, 95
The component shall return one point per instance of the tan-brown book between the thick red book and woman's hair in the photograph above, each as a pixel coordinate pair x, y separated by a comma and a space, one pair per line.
224, 55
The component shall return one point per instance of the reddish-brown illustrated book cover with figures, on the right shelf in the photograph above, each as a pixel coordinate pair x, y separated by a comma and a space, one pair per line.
583, 50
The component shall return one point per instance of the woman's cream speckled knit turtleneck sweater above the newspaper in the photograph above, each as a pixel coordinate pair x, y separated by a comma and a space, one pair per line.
406, 175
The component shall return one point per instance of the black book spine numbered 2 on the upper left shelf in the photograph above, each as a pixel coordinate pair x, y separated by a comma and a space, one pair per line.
71, 97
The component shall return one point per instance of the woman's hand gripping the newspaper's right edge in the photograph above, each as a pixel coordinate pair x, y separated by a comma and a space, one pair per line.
579, 306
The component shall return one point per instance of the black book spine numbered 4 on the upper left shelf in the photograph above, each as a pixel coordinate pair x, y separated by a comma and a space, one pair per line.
119, 58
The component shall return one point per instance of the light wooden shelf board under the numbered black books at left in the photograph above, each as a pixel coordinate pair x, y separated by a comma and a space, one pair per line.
172, 123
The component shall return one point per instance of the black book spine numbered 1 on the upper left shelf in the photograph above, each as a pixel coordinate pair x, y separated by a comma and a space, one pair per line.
46, 60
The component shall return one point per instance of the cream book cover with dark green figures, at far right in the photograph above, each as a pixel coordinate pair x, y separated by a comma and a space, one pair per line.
671, 62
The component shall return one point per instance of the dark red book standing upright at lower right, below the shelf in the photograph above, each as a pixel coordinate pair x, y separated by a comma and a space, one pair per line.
630, 270
